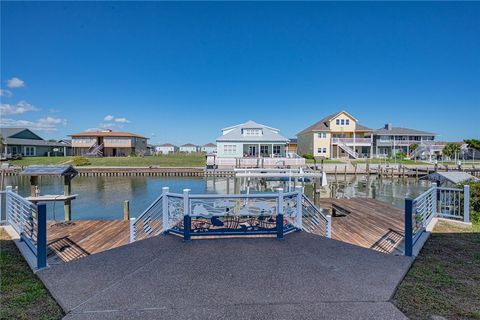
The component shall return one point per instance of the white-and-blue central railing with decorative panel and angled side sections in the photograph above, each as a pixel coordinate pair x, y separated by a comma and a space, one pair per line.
238, 214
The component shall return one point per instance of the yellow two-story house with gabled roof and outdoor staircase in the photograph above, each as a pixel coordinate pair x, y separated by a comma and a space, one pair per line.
336, 136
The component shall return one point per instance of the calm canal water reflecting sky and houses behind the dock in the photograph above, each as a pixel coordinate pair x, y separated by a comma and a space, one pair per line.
102, 197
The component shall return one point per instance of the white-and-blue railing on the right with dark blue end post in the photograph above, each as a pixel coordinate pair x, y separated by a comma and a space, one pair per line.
448, 203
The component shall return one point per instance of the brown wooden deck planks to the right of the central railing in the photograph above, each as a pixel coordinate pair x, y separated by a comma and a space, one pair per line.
370, 223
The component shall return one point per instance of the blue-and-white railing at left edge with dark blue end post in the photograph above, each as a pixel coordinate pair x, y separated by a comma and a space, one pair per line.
30, 223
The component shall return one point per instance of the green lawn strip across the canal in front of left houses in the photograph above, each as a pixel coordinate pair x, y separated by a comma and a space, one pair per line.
171, 160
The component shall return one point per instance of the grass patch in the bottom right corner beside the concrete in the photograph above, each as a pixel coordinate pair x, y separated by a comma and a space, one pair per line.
444, 279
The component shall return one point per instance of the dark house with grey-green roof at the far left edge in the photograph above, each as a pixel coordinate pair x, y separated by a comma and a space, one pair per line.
27, 143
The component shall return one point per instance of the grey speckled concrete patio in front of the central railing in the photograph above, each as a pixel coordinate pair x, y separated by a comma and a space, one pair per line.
304, 277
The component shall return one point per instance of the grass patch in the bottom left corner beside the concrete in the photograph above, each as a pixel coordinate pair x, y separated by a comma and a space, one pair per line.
23, 294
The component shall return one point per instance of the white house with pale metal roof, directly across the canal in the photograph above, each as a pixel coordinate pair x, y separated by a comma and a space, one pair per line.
251, 139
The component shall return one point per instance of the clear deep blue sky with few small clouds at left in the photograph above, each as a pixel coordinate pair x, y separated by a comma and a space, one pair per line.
178, 72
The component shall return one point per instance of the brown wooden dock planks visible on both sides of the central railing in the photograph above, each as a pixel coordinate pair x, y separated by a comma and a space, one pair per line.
371, 224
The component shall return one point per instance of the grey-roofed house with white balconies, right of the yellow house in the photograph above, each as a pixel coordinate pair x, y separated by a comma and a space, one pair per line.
390, 140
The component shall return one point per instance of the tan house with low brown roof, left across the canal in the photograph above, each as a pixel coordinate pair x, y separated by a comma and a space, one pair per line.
108, 144
